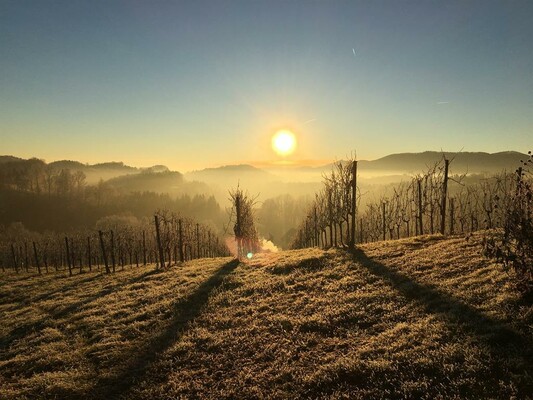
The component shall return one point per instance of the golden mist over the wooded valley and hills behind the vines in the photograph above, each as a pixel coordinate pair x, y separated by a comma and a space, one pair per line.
64, 196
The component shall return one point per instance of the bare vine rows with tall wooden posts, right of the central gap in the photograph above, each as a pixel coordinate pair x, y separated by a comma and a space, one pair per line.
432, 202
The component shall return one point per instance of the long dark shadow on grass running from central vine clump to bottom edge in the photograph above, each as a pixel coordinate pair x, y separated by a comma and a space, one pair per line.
184, 312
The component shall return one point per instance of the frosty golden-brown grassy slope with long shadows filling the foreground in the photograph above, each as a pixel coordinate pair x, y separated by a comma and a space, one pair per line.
417, 318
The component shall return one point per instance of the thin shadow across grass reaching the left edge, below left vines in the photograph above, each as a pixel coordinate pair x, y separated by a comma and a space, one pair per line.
23, 330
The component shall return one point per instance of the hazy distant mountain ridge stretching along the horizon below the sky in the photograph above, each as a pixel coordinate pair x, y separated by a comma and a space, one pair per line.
254, 177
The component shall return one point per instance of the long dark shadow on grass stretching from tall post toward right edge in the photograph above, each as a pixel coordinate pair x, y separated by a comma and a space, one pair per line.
499, 338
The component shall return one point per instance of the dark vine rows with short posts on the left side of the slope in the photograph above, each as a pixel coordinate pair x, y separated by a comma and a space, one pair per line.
166, 240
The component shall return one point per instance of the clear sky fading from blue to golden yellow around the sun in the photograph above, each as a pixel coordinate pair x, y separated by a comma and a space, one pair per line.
194, 84
